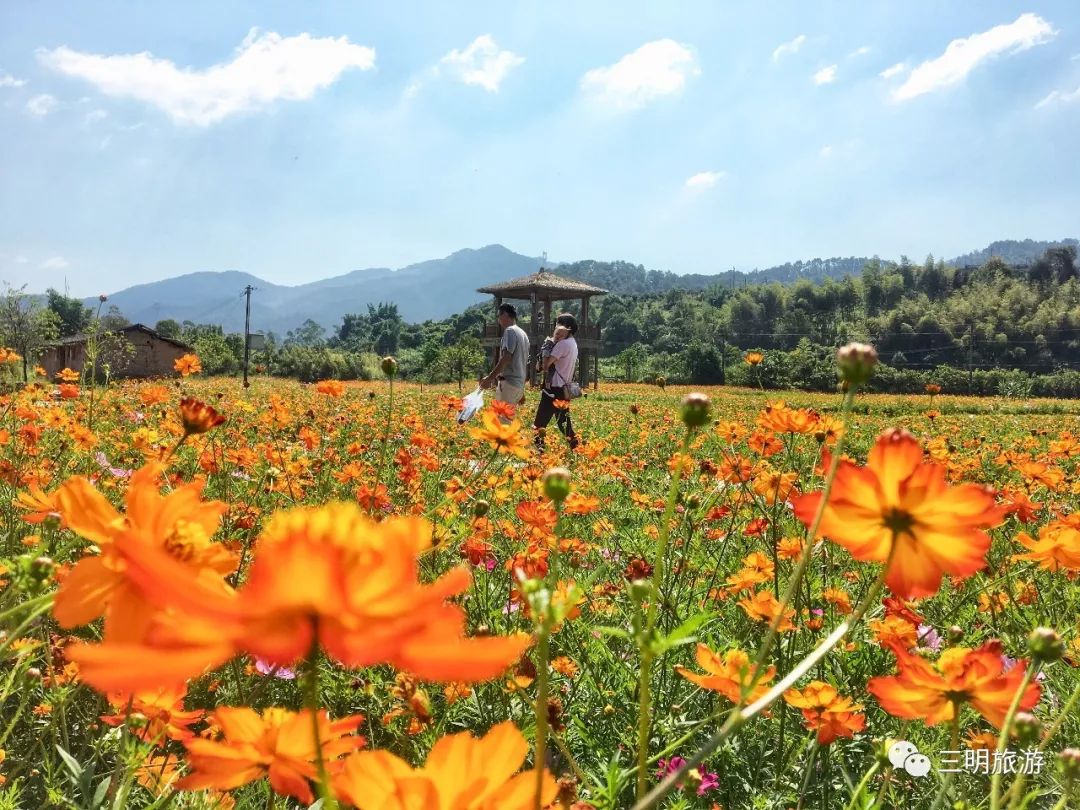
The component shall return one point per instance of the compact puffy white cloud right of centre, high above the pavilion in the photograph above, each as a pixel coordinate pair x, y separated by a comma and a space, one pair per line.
654, 71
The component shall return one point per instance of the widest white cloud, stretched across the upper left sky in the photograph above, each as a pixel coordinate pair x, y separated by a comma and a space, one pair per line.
266, 67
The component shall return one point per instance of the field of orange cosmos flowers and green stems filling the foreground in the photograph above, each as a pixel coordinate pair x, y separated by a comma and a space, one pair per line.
335, 595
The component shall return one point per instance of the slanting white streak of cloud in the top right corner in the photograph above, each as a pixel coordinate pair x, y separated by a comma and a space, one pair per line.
963, 56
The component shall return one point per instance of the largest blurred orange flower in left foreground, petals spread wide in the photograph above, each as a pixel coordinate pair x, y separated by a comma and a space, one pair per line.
328, 575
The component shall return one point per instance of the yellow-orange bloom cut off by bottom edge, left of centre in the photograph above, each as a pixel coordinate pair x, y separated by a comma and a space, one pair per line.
462, 773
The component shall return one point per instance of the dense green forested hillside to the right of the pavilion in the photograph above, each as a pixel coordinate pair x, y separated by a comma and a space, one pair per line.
994, 317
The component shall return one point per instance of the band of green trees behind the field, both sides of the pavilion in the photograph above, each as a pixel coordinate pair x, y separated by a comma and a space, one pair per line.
981, 330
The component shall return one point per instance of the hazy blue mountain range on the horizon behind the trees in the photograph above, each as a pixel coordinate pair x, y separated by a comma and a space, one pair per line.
441, 288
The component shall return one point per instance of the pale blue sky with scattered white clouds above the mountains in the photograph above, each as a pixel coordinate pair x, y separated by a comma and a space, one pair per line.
303, 141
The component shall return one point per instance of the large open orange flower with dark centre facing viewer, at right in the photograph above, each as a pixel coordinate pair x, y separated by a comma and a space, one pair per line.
899, 499
